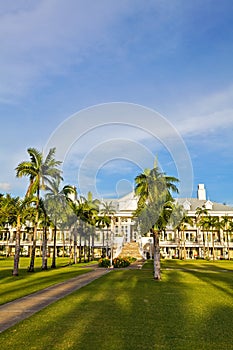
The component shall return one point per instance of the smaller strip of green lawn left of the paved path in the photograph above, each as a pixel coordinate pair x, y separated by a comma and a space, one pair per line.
12, 288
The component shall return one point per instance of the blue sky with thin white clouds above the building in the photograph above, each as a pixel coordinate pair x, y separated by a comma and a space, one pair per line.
174, 57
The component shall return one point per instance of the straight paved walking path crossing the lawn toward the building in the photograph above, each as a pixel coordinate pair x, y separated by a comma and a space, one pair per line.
17, 310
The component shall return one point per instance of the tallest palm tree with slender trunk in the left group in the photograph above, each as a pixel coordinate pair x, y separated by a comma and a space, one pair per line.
40, 172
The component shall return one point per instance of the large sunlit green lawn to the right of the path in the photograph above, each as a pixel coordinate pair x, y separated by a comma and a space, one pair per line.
191, 308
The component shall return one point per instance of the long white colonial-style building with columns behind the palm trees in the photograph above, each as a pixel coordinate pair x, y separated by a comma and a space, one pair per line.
193, 241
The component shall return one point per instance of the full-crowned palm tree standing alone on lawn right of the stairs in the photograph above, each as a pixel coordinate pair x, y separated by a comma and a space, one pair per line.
154, 209
